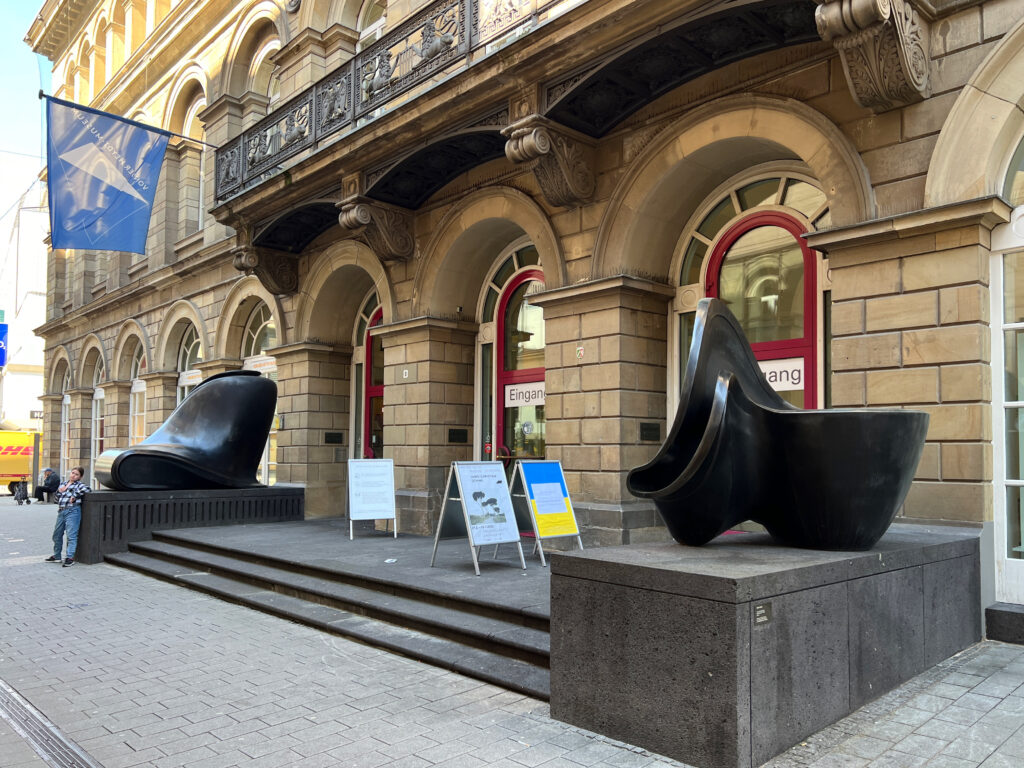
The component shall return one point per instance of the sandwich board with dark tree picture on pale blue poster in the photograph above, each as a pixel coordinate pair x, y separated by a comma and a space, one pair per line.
478, 506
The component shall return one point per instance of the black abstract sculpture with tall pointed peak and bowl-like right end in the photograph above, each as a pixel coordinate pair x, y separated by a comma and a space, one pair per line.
821, 480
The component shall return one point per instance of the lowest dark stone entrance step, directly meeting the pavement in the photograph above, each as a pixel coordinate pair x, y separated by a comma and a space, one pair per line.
494, 664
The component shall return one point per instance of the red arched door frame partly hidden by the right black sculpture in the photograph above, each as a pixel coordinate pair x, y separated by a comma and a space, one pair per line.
805, 347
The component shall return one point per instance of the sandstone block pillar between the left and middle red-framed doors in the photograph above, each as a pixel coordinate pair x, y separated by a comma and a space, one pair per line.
429, 391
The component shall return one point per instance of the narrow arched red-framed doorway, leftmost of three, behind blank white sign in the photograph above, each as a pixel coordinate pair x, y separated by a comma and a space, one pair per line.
369, 382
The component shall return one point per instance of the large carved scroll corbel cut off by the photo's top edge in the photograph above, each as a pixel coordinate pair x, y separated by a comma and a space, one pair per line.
884, 48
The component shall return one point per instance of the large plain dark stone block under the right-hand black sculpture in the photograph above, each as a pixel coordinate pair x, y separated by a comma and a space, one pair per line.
728, 655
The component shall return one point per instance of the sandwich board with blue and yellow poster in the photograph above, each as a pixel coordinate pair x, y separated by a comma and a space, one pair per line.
542, 501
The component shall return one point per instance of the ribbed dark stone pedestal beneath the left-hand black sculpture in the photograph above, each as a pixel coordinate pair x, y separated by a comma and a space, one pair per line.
112, 520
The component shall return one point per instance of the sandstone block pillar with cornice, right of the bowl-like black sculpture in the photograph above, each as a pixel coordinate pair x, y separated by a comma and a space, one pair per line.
911, 328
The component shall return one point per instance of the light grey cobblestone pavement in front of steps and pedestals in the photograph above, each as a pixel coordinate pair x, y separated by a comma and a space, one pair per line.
142, 673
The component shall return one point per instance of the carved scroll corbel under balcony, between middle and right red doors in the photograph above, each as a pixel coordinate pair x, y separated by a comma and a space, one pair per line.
563, 162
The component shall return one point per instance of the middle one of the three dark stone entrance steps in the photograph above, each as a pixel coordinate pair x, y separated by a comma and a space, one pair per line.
456, 620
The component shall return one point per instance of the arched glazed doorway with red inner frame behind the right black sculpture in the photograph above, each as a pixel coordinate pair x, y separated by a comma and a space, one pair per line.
745, 247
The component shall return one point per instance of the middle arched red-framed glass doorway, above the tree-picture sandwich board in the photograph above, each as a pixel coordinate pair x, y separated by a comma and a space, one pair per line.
513, 368
